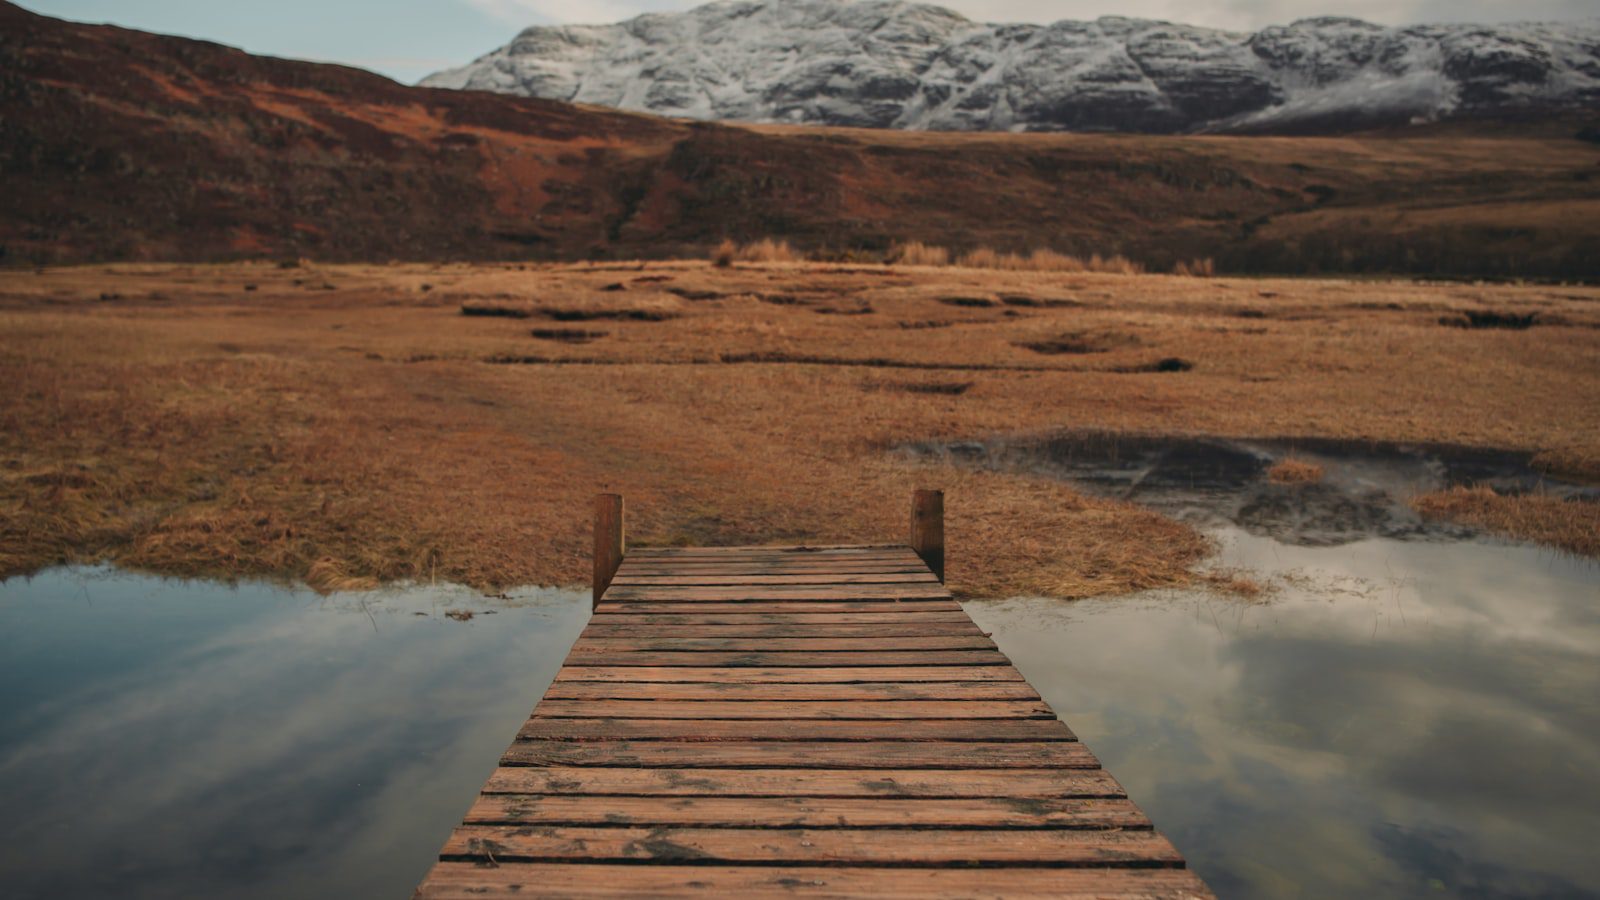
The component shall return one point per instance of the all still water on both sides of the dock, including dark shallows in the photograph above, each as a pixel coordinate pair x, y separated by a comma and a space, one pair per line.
1412, 712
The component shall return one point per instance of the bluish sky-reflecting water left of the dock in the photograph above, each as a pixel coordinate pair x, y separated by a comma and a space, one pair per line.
166, 739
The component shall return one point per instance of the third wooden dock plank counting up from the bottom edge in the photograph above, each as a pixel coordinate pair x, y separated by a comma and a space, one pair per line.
810, 813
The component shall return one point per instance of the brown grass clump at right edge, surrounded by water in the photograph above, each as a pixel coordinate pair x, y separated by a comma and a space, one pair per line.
1567, 524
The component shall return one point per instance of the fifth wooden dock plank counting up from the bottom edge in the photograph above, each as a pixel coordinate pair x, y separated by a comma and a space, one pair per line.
802, 755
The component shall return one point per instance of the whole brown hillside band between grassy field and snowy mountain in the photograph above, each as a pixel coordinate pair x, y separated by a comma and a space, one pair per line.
118, 145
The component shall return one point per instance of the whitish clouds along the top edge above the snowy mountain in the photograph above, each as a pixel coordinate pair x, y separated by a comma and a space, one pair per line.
1215, 14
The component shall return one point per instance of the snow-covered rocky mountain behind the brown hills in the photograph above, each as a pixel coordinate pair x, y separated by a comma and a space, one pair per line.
895, 65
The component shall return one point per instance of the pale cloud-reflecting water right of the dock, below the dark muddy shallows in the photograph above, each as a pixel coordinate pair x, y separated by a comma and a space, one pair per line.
1406, 718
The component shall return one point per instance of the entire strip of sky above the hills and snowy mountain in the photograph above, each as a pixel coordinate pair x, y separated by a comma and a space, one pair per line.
409, 39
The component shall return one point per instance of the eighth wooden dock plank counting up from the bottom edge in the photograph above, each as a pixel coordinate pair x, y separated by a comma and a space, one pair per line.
804, 693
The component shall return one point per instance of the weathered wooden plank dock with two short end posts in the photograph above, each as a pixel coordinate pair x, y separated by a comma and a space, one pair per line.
798, 723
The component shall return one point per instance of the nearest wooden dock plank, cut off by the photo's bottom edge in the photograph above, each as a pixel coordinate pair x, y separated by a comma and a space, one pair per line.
476, 882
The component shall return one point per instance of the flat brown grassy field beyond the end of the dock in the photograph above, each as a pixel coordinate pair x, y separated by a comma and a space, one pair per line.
348, 425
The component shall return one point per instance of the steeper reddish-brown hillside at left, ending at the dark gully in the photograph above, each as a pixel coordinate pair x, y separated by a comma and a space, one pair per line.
127, 145
